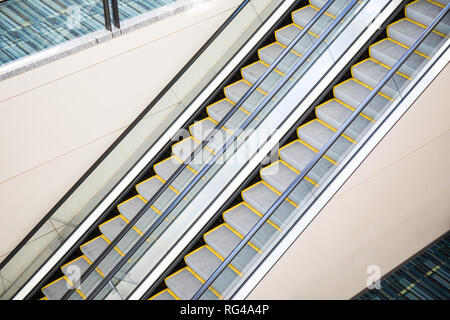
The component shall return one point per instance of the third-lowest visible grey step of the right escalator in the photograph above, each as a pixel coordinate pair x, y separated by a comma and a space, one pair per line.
204, 262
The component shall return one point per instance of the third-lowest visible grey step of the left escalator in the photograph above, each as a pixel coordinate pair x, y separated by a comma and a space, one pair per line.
95, 247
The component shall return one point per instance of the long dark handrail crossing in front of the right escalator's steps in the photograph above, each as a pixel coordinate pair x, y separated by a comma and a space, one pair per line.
319, 155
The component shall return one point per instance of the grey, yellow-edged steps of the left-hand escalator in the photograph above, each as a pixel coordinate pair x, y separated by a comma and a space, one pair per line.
165, 168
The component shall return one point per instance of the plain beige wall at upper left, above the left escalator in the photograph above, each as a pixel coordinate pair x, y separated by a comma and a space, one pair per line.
56, 120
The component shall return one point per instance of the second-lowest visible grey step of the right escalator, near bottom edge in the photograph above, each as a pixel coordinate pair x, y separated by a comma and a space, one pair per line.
184, 284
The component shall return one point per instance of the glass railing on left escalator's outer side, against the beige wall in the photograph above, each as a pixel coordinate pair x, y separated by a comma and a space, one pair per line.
90, 191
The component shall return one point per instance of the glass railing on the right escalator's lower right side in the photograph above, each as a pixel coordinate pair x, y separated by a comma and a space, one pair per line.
331, 158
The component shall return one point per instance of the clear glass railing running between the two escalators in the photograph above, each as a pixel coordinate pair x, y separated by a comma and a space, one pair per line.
143, 253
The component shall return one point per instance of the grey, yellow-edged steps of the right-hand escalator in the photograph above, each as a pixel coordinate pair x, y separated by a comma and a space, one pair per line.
237, 221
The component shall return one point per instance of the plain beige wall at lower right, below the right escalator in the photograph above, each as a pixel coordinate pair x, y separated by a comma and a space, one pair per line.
394, 204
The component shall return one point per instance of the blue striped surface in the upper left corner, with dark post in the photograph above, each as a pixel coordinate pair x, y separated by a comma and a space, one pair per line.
27, 27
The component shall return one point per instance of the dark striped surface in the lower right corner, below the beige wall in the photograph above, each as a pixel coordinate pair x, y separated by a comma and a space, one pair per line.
425, 276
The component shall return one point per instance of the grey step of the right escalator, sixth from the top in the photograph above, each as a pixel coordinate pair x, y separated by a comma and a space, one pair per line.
336, 113
